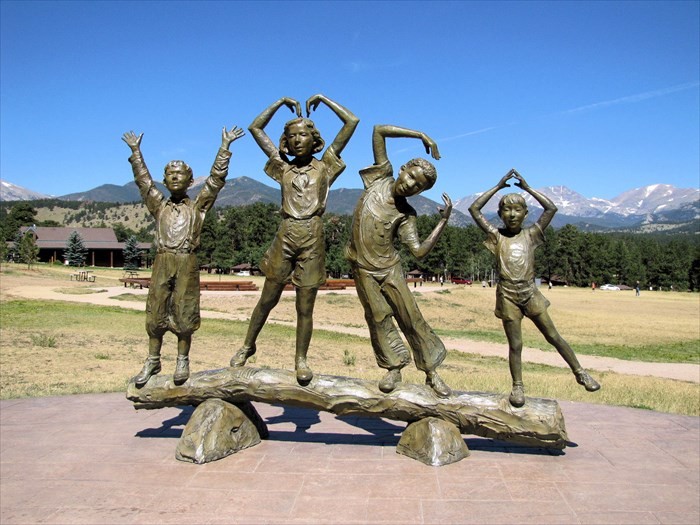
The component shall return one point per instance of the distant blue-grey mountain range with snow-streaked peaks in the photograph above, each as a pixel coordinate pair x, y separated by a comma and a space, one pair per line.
657, 204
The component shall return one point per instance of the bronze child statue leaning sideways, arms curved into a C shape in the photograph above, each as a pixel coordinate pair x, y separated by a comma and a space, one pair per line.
383, 215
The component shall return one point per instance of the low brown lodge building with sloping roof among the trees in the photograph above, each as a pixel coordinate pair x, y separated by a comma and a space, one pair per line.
102, 245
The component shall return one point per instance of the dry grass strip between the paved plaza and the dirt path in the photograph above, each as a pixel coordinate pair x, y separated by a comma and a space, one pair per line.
97, 349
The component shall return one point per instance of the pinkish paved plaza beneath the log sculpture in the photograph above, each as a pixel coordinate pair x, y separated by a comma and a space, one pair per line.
94, 459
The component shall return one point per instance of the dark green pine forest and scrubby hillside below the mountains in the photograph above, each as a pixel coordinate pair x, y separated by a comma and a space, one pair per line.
235, 235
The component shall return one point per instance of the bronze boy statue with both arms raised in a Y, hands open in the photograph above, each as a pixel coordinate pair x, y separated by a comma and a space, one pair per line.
173, 294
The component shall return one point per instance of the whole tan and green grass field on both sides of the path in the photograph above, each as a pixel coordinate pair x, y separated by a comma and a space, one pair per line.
56, 347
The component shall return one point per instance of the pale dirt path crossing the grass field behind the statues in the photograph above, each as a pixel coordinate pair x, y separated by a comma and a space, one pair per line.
679, 371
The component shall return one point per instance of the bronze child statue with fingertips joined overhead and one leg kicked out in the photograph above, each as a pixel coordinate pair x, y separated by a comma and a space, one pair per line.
516, 293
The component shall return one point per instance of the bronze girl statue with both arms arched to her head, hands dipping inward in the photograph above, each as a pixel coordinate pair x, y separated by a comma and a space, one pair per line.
298, 249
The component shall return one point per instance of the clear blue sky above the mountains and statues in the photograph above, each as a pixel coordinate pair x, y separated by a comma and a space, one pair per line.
601, 97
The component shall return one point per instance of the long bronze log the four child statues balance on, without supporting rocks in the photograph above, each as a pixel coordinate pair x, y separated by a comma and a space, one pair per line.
539, 423
